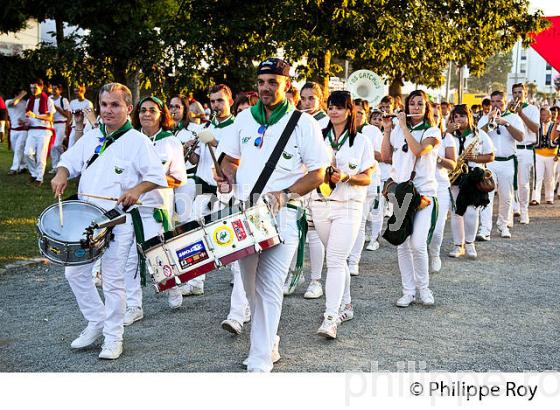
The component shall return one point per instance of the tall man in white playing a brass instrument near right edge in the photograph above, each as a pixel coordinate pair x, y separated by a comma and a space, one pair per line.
530, 116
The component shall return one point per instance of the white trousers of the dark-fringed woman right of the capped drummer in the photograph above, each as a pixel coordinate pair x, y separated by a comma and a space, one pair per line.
337, 224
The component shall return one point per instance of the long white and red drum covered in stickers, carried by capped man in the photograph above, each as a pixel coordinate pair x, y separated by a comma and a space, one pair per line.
196, 248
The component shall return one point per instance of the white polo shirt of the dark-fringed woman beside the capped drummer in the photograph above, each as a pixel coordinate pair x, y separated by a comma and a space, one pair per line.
351, 160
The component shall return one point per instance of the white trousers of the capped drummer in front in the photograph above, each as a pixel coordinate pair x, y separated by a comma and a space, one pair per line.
263, 277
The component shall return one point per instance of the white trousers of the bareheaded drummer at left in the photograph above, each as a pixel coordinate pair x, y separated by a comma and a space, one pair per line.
108, 315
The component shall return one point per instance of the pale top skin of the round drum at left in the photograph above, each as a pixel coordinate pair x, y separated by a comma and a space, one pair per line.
77, 217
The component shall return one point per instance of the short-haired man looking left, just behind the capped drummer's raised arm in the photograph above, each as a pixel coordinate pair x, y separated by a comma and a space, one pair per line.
220, 102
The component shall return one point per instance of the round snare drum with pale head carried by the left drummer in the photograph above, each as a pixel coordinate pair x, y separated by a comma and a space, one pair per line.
69, 245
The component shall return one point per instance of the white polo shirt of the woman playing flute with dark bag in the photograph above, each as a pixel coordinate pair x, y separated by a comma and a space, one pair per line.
403, 162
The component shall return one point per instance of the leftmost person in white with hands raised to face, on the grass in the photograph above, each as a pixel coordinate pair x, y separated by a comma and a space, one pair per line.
18, 131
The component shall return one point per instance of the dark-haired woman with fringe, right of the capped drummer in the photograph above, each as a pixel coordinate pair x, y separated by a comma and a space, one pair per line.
337, 215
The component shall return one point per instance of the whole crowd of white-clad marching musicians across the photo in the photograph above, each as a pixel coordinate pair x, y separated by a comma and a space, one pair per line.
344, 168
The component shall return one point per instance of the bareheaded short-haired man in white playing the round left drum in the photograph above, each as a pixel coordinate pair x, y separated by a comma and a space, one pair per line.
113, 160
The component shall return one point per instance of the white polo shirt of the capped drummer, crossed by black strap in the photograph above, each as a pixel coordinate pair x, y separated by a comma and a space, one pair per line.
304, 152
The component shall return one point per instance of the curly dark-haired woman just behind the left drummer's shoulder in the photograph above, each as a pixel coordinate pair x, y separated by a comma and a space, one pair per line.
153, 119
